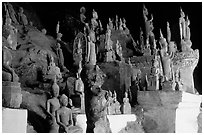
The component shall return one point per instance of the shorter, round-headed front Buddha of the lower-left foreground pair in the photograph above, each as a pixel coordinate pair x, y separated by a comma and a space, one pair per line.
64, 115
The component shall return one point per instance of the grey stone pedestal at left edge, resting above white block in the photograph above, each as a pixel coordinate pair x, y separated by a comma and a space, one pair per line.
11, 94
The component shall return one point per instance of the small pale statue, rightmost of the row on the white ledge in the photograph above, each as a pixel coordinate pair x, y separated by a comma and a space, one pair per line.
126, 108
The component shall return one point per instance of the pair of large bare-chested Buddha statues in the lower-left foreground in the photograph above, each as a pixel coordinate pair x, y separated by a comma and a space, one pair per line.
59, 115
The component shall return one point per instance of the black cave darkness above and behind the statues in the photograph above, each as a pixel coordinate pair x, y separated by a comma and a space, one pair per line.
46, 15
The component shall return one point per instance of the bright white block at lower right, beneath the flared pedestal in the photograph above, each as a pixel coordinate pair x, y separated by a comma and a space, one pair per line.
187, 113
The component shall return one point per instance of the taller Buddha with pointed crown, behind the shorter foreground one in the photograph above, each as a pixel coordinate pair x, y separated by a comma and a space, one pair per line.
52, 106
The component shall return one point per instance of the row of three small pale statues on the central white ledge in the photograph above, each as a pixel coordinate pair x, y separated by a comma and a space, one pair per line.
114, 107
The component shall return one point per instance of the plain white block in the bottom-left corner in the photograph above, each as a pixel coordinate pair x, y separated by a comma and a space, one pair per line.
14, 120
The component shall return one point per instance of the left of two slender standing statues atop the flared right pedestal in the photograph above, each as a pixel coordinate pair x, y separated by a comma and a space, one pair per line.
182, 24
